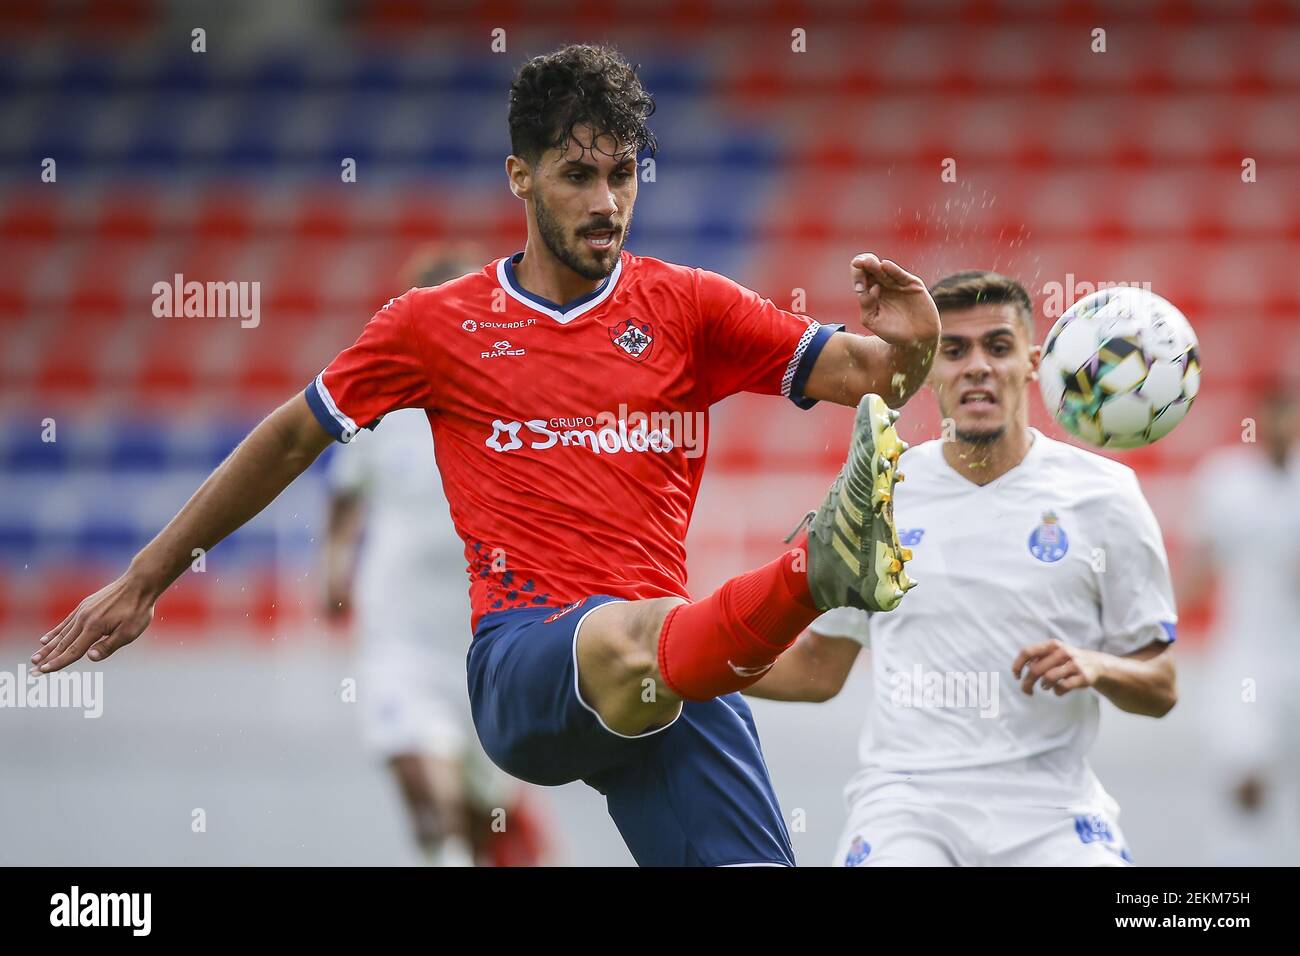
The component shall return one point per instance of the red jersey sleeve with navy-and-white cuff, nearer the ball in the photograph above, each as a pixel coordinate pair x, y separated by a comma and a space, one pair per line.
751, 345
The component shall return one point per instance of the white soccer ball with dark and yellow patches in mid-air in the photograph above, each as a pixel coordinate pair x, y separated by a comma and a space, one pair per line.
1121, 369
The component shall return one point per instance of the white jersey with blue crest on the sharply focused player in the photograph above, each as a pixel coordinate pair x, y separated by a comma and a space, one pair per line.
1063, 547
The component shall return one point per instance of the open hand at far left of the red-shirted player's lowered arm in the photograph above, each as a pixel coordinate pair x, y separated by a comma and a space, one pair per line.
109, 620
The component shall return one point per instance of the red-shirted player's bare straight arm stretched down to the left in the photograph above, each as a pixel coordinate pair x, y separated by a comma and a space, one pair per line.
275, 453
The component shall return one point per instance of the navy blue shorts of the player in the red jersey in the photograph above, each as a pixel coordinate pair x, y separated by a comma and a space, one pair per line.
692, 794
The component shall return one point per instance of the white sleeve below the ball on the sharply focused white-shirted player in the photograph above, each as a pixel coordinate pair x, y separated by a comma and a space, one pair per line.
1137, 592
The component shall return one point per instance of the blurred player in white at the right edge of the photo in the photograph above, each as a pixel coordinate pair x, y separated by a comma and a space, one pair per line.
1253, 547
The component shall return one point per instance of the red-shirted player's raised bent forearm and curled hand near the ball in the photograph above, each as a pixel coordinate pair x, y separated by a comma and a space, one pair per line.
896, 306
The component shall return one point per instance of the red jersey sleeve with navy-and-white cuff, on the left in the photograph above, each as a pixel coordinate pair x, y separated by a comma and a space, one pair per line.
382, 373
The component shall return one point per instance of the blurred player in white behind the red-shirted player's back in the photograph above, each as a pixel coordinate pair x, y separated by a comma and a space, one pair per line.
393, 555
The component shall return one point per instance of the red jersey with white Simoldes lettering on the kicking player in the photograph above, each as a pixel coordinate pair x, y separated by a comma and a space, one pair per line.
571, 439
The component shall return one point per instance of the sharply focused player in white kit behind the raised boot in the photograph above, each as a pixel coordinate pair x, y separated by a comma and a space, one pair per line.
1043, 587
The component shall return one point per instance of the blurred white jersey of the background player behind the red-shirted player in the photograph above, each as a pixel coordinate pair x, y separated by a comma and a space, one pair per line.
411, 572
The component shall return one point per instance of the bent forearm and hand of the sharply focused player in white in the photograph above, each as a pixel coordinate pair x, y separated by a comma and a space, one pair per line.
1143, 682
